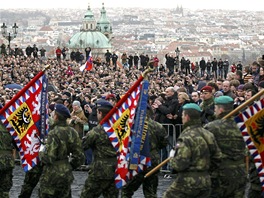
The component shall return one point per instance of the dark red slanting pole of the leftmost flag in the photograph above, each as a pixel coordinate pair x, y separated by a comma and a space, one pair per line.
24, 88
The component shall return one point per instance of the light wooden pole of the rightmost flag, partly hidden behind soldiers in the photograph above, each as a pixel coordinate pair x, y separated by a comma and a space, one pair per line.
239, 108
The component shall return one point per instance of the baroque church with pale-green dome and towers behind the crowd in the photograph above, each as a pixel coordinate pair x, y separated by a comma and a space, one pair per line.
94, 34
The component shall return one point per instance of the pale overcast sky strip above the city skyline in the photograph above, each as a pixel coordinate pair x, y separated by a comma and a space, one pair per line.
257, 5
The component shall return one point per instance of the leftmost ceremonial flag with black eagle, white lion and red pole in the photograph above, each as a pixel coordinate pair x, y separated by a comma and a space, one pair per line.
26, 118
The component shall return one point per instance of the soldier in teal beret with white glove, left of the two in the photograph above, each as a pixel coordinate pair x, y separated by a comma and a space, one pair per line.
196, 153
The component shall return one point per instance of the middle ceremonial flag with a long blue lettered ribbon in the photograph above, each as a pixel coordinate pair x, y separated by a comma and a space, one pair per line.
126, 128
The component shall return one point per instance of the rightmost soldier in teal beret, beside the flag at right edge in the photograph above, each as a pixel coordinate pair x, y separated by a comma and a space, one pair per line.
230, 179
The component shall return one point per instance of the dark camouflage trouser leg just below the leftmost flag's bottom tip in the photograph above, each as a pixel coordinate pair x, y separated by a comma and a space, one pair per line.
30, 181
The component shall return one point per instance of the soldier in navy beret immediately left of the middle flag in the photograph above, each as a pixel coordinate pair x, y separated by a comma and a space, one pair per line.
101, 175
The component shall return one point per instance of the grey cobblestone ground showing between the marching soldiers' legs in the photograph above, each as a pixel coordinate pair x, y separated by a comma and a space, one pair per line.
77, 185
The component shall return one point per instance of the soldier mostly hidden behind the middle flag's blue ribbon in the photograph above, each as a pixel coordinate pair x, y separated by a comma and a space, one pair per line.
158, 140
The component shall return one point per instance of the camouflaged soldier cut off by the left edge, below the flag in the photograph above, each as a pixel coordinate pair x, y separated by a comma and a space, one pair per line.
7, 162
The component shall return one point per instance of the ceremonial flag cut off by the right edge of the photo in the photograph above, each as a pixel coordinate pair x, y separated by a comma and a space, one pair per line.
251, 124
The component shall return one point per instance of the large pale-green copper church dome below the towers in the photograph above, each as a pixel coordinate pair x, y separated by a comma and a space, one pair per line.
93, 39
